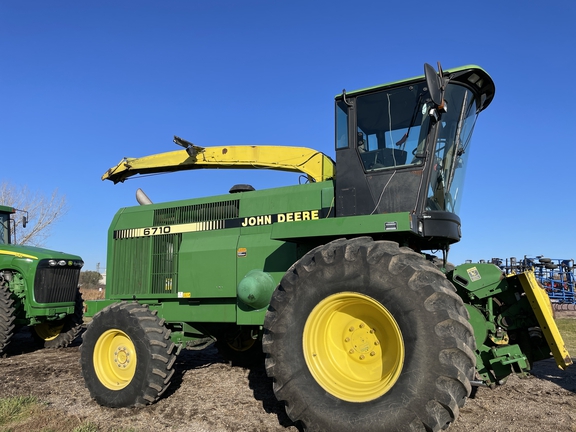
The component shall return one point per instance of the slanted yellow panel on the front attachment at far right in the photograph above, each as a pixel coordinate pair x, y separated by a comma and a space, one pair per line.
540, 301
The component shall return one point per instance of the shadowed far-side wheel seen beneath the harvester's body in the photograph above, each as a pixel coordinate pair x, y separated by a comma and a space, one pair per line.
240, 345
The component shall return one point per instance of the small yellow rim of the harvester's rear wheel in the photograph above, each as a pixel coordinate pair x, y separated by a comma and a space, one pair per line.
114, 359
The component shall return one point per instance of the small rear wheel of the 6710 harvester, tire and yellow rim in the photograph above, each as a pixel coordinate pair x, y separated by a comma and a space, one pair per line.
127, 356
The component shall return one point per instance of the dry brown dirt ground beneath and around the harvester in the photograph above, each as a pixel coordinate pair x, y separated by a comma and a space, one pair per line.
209, 395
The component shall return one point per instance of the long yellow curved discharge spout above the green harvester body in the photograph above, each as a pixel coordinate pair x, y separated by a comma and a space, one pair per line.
314, 164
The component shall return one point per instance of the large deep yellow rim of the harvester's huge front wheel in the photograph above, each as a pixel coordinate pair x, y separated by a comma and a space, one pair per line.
353, 347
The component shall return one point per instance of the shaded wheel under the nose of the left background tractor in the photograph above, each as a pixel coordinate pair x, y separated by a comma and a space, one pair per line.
61, 333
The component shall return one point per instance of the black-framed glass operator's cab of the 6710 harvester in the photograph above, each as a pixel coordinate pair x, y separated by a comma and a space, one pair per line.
402, 147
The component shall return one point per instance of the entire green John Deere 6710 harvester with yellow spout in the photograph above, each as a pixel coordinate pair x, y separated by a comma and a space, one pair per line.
362, 327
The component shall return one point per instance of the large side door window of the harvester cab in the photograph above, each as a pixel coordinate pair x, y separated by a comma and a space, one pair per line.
392, 127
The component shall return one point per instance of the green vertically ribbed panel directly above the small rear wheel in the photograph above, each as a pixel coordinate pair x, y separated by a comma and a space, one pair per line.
131, 266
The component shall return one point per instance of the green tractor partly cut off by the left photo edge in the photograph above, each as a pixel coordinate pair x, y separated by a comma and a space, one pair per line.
38, 288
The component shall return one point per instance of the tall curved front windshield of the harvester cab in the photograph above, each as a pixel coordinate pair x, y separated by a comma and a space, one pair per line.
451, 150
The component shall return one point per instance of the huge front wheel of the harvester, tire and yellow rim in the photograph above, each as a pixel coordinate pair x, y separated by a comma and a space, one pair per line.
365, 335
